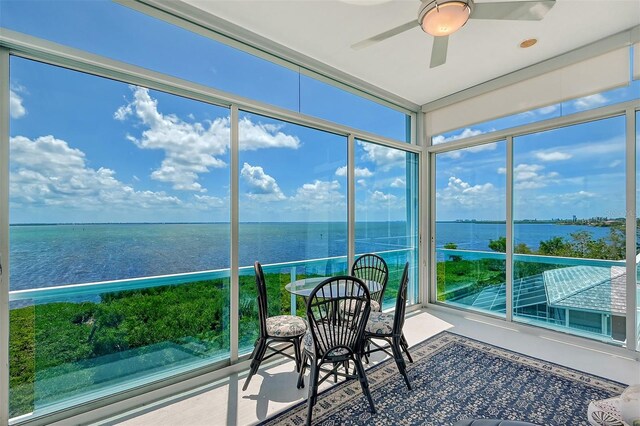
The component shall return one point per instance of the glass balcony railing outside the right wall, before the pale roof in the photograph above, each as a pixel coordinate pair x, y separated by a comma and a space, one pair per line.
576, 295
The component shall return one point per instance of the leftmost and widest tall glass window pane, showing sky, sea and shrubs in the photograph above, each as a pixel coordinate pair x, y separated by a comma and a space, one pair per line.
119, 236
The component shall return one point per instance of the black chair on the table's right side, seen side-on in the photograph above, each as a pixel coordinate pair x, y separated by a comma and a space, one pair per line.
387, 326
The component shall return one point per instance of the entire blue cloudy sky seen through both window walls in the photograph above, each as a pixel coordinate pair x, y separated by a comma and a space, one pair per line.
88, 149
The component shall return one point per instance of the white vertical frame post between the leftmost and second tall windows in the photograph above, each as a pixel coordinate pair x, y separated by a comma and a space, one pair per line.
234, 297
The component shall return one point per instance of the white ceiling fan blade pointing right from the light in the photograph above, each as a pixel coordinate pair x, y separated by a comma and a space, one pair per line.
514, 10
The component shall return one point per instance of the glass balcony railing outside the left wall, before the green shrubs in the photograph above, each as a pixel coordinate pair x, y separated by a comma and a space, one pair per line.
76, 343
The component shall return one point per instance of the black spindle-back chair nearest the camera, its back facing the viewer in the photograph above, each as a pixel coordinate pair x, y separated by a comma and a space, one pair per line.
334, 338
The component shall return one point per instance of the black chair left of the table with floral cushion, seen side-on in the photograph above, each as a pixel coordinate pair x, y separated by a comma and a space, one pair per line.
280, 328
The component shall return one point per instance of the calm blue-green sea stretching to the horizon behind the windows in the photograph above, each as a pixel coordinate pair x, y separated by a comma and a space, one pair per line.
50, 255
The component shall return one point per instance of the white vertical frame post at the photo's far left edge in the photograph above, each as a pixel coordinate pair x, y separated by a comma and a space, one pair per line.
4, 236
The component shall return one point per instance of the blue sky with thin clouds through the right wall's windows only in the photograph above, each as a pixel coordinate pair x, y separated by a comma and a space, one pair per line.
577, 170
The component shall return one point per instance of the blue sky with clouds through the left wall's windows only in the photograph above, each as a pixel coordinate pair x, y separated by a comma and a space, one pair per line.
88, 149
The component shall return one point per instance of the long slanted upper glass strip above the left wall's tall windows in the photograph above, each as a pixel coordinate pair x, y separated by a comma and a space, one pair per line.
144, 41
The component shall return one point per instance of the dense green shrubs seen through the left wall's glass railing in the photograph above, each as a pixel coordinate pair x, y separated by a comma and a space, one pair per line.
53, 339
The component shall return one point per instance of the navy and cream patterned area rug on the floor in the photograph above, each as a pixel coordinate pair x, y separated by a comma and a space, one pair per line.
454, 378
